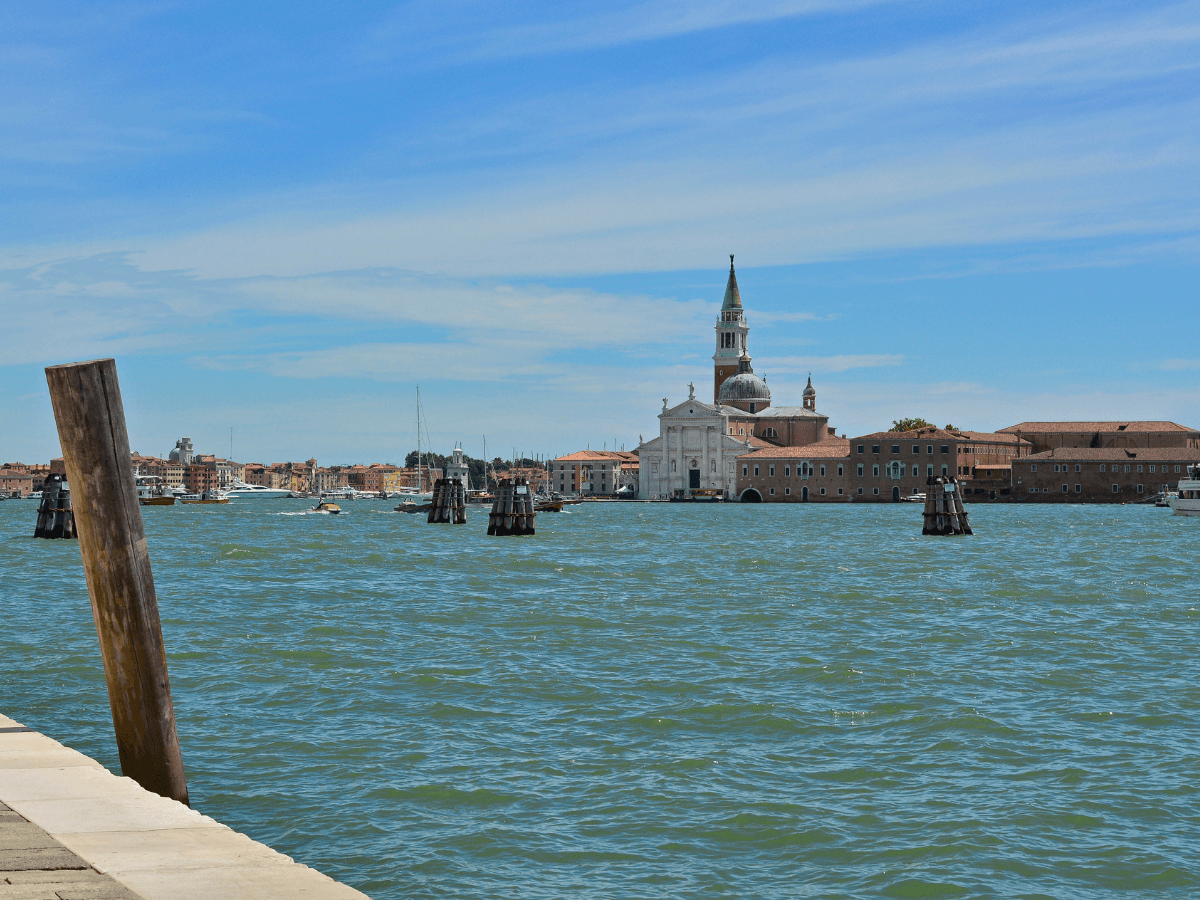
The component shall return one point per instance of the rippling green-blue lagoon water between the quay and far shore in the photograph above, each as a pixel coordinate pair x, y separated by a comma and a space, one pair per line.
662, 700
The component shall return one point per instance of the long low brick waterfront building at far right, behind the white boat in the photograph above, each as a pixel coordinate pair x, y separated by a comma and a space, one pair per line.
1100, 475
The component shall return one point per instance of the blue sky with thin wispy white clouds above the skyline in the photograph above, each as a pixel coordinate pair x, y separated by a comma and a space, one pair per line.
281, 219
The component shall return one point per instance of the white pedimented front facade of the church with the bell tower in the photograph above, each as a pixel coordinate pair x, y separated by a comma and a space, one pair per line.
693, 439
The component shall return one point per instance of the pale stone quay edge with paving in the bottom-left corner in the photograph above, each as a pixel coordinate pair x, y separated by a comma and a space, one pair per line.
58, 805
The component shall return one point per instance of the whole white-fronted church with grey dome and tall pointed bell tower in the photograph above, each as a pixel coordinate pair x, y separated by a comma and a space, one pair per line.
699, 443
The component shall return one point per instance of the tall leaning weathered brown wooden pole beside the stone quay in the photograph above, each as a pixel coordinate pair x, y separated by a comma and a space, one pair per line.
109, 523
